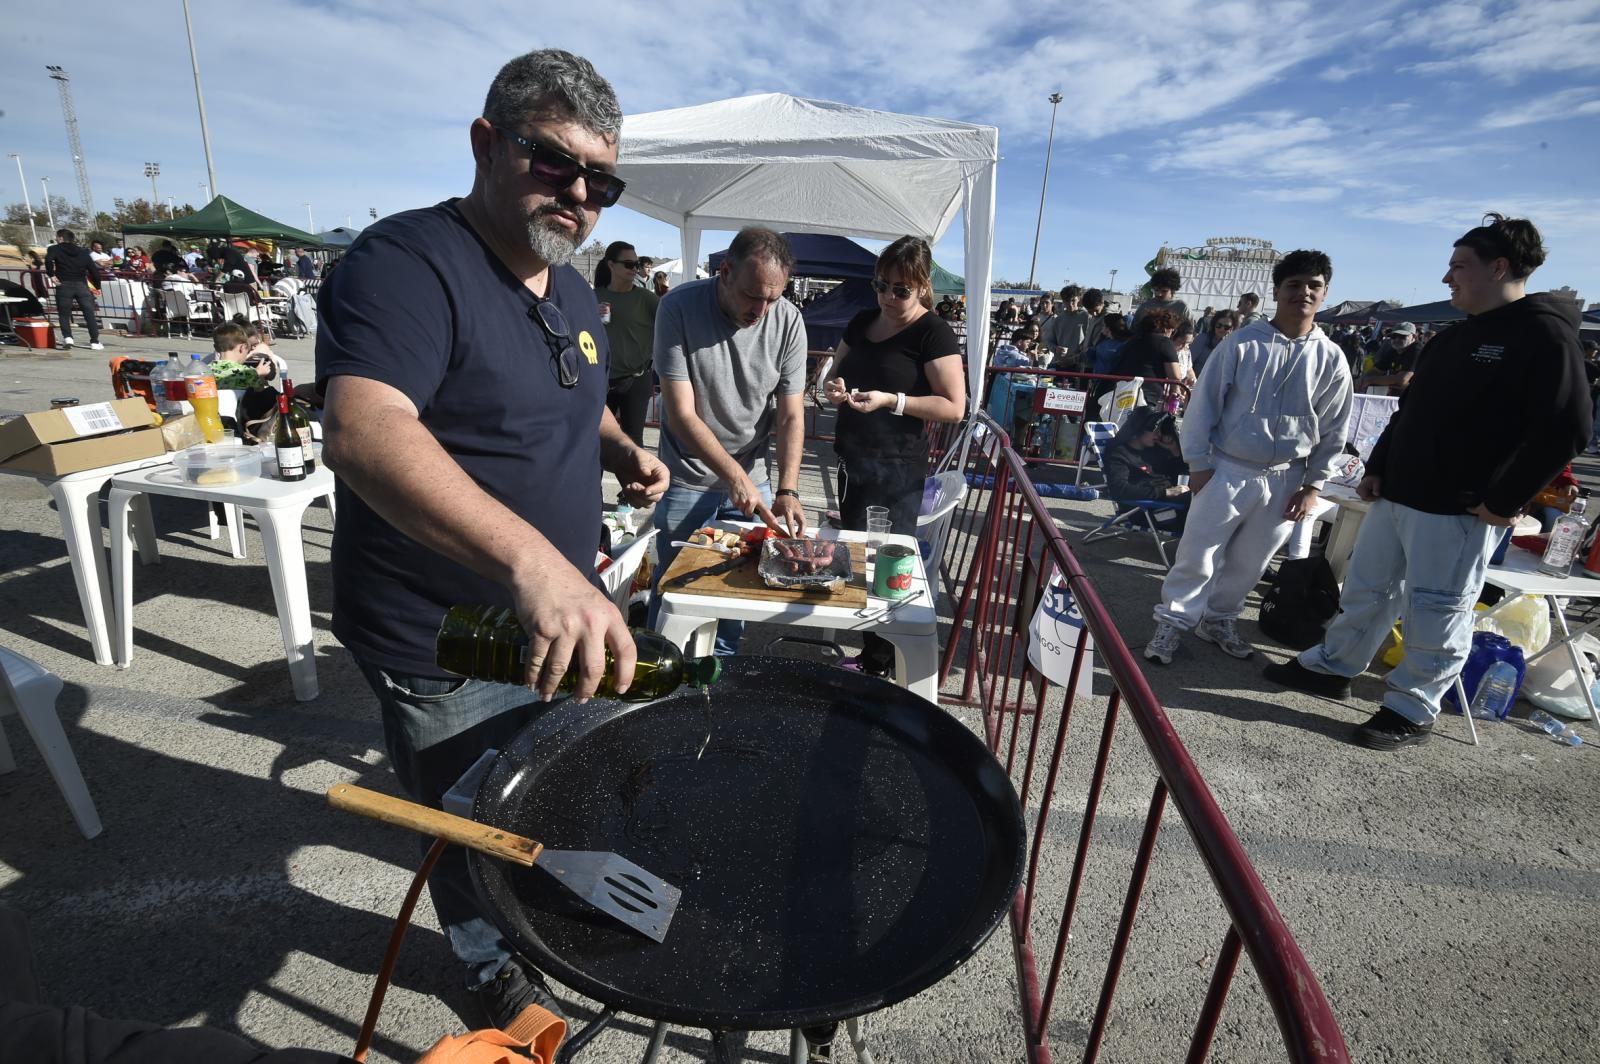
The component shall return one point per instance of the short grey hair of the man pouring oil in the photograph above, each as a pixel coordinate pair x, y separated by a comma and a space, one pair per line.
553, 84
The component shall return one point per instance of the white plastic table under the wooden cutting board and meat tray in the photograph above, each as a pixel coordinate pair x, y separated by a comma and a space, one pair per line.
911, 625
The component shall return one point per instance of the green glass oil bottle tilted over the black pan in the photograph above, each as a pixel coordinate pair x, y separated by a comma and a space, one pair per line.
490, 644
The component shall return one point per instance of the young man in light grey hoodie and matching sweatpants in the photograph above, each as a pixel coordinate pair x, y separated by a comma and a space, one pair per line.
1265, 430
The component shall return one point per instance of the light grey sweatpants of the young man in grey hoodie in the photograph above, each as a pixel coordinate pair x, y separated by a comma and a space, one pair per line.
1236, 526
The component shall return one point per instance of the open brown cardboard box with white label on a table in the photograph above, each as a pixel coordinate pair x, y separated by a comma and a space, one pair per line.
73, 439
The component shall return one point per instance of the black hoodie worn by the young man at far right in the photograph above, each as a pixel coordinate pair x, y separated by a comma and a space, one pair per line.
1498, 406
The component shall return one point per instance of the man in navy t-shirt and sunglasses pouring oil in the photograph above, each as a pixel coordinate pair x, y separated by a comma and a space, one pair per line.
465, 370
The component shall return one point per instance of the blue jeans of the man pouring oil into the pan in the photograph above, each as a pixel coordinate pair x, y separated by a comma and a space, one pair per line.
434, 732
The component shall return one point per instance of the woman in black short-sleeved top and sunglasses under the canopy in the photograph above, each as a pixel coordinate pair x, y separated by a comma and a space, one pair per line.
897, 369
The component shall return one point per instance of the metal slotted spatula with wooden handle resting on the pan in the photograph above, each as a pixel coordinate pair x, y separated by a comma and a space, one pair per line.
607, 881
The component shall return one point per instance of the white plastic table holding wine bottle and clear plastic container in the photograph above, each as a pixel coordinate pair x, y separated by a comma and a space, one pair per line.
278, 508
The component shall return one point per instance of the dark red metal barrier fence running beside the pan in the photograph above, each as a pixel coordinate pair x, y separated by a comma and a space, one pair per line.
999, 561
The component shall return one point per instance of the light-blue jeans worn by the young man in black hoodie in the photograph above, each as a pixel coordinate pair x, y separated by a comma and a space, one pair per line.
1428, 572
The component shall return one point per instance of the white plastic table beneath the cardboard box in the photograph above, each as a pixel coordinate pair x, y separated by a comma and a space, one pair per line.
78, 506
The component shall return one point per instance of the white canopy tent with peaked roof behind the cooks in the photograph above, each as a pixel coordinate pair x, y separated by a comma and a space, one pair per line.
820, 167
